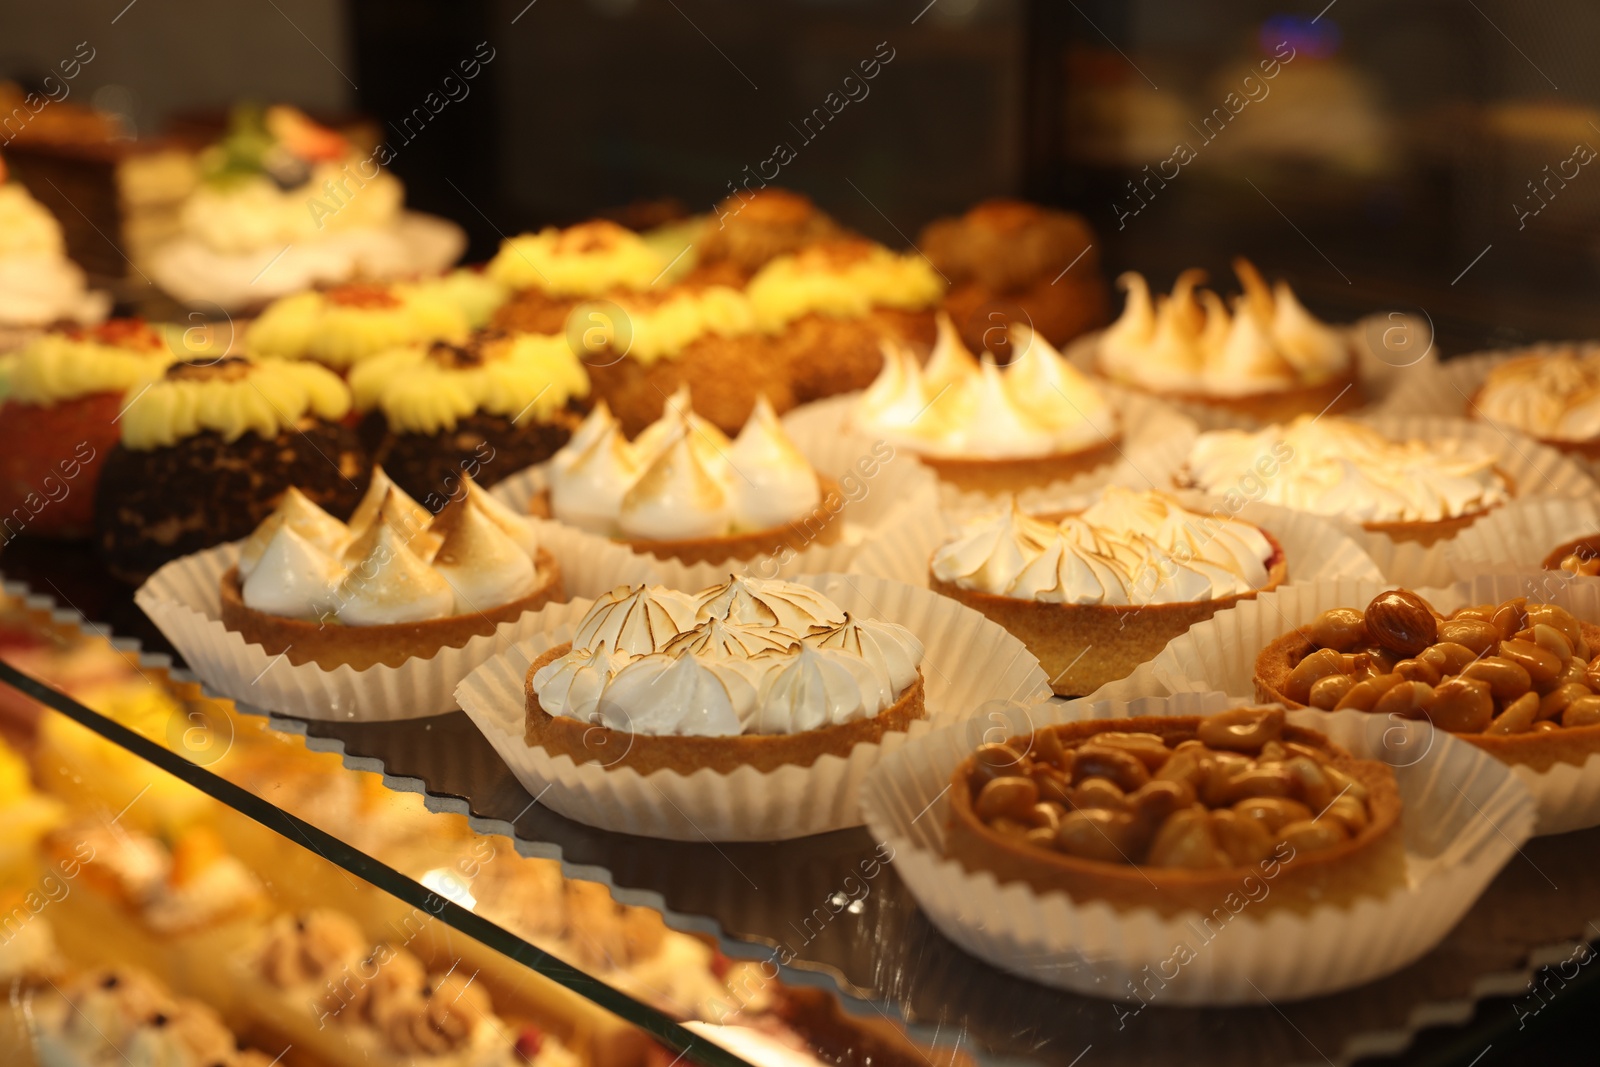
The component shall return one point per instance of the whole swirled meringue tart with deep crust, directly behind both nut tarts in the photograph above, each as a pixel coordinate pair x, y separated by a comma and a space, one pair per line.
1100, 593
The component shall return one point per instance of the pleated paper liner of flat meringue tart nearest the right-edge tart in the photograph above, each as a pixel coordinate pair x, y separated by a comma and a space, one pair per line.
1535, 473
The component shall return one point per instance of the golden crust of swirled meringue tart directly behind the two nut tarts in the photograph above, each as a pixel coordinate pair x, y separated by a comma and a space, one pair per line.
1084, 647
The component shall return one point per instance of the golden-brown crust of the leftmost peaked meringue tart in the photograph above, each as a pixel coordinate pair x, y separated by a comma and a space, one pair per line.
362, 647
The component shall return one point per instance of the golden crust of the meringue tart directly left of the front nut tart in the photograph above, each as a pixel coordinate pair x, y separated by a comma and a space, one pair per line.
590, 743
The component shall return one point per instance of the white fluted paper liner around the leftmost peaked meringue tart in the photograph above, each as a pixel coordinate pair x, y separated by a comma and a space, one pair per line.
185, 601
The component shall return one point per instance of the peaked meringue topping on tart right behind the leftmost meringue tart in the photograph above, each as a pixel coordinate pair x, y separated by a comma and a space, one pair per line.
681, 478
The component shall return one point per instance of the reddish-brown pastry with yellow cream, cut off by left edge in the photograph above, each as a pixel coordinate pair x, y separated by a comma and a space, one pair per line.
62, 420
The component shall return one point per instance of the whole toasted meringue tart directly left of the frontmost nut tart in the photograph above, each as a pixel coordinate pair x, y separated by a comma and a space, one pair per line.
761, 674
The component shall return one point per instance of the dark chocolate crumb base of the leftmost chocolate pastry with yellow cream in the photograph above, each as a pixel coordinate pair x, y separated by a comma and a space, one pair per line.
161, 505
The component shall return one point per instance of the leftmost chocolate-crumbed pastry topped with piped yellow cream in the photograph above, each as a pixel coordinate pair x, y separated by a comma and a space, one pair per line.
207, 447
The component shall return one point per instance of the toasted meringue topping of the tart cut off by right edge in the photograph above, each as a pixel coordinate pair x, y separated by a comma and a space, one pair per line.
1553, 396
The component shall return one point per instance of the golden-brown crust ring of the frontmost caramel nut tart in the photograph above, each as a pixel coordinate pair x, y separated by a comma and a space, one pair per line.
1370, 863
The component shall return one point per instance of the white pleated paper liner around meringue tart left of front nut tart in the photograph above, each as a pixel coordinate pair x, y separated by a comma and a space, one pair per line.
969, 663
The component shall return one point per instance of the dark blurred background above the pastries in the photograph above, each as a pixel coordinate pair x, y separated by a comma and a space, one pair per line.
1420, 156
